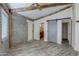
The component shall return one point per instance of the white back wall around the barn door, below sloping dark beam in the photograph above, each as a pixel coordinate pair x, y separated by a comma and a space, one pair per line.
63, 14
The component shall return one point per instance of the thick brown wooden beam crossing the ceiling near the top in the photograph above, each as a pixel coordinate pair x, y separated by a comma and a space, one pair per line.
43, 5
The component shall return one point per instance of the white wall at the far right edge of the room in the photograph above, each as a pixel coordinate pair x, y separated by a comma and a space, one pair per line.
76, 26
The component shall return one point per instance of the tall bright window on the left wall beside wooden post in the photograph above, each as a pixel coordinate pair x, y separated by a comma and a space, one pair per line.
4, 24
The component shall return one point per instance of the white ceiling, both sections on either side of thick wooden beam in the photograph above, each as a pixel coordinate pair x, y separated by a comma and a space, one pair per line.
34, 14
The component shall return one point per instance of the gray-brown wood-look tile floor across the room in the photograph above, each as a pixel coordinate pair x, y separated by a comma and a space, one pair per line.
40, 48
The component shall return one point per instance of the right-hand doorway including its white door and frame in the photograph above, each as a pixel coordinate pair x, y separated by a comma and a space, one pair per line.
67, 31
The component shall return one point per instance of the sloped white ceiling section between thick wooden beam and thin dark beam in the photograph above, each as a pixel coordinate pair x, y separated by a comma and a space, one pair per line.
34, 14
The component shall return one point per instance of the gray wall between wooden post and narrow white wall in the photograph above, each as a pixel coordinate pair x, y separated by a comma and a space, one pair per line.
20, 29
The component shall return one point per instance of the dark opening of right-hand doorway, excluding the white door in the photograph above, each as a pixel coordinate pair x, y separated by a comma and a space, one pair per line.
65, 33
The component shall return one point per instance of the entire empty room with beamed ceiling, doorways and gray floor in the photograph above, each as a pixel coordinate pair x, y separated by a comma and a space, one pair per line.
39, 29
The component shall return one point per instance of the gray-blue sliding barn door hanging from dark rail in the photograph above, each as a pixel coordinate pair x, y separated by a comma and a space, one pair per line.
52, 31
